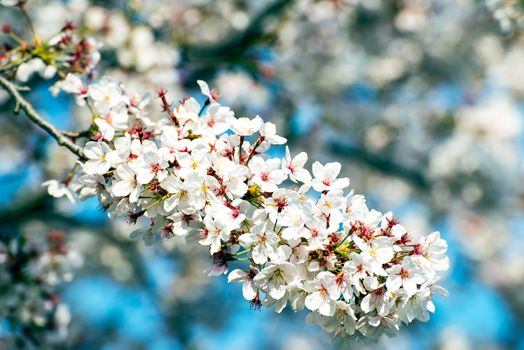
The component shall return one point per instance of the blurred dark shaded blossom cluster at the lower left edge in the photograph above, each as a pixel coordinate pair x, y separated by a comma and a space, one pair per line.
31, 269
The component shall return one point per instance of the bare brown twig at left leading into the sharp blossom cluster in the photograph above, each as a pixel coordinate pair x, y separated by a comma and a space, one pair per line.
22, 103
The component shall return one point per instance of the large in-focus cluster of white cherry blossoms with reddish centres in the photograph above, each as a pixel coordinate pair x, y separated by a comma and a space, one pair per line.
308, 243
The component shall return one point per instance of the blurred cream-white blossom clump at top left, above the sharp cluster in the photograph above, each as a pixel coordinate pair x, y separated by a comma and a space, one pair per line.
142, 55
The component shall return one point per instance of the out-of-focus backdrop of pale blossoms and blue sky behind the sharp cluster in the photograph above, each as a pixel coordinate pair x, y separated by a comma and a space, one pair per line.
420, 100
